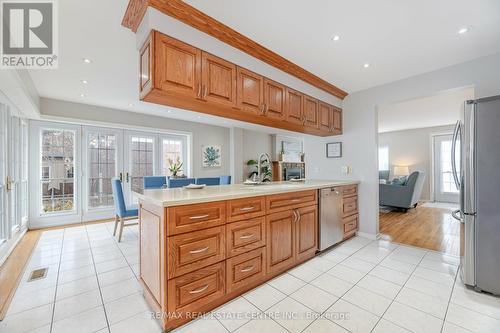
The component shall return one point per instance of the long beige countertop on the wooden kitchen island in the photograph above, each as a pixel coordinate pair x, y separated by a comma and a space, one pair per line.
182, 196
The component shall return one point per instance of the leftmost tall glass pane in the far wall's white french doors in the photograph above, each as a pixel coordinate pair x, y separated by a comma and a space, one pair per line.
58, 150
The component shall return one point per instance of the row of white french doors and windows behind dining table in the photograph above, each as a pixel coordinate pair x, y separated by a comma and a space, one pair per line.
74, 165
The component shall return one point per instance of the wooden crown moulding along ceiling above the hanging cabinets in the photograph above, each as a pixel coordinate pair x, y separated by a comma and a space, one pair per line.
200, 21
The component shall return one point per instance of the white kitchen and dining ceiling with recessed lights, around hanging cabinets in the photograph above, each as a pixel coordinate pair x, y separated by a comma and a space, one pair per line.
398, 38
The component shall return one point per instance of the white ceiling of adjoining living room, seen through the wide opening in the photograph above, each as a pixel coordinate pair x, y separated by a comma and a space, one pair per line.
441, 109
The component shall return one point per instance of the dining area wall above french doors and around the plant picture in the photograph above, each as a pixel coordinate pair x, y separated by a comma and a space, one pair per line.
202, 134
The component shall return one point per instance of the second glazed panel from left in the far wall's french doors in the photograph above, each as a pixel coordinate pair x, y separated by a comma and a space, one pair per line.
103, 161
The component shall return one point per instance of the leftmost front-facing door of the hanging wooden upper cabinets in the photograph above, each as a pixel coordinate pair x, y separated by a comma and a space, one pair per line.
178, 67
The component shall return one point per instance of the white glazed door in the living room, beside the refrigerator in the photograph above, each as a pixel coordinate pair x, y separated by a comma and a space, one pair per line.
444, 185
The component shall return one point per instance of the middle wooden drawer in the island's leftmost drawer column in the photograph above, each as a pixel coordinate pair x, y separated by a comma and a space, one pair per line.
188, 252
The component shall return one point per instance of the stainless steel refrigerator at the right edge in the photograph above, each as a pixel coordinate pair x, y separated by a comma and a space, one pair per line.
477, 174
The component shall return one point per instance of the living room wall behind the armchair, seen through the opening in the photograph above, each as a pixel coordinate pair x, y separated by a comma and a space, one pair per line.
412, 148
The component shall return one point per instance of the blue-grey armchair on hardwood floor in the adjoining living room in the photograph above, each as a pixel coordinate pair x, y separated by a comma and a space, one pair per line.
402, 196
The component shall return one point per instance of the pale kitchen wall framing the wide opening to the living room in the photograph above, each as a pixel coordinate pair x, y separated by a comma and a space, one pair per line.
360, 110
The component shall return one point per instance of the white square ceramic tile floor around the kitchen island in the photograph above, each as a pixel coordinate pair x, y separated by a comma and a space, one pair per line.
359, 286
